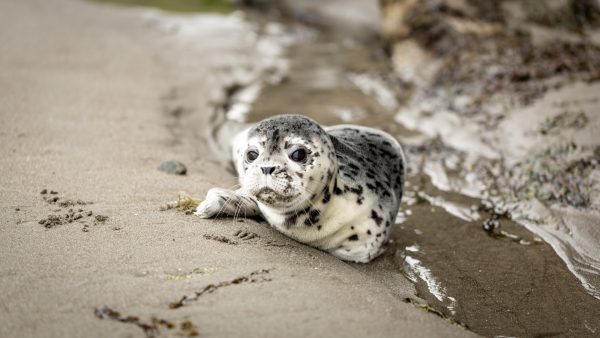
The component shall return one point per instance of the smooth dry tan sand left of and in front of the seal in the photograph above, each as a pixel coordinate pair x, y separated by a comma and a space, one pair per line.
92, 100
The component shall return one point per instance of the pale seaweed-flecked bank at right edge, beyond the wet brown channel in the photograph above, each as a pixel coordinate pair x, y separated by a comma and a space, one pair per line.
541, 179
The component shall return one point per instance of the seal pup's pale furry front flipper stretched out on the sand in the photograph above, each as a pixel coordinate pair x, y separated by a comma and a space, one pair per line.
221, 202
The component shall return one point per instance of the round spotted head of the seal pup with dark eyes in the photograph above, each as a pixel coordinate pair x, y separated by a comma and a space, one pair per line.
286, 162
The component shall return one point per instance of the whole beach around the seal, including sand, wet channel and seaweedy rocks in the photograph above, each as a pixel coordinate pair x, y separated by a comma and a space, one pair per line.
115, 120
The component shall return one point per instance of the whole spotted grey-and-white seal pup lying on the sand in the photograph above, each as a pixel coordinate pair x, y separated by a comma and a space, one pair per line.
335, 188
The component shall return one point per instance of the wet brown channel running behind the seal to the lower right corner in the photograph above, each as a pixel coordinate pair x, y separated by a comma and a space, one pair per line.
508, 282
